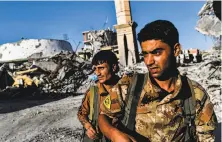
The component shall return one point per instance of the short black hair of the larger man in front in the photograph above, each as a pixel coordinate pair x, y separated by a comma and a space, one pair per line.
159, 30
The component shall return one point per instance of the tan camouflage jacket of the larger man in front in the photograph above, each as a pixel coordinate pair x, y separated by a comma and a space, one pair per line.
160, 116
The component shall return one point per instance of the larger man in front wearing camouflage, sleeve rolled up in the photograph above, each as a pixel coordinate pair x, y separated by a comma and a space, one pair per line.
161, 106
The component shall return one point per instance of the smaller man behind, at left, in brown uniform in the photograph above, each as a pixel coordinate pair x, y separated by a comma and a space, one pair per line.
105, 66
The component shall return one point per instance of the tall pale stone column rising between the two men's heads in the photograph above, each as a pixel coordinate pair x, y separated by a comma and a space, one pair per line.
126, 35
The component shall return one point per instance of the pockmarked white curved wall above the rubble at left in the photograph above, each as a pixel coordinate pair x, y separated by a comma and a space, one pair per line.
32, 48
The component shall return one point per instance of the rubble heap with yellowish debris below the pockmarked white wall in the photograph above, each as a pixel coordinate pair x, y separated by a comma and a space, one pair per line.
62, 74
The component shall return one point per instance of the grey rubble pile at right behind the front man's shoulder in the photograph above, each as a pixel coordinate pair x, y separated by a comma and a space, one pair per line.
208, 74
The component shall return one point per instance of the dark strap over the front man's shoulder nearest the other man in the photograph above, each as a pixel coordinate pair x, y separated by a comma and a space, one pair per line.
134, 92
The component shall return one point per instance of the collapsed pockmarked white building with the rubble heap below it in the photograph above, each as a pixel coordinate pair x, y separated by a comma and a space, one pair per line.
42, 67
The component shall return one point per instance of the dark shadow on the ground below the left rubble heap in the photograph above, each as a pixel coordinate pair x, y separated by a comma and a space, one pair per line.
18, 99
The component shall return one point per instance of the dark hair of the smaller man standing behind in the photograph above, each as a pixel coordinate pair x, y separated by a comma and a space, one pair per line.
106, 56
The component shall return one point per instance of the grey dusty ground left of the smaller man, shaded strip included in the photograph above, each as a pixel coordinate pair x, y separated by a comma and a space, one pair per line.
40, 120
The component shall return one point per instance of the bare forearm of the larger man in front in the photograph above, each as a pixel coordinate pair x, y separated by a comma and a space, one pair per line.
111, 132
